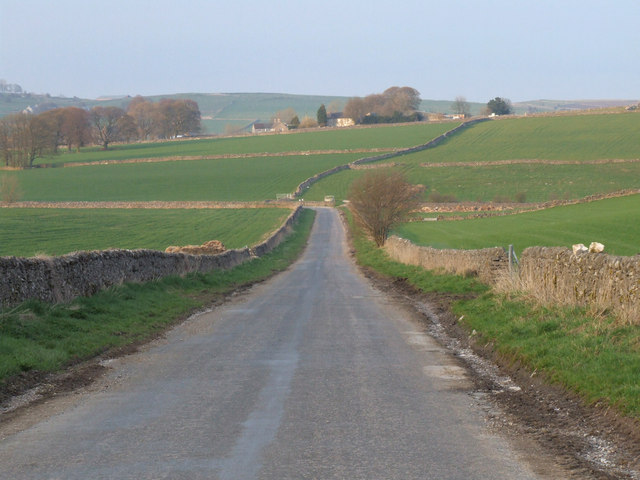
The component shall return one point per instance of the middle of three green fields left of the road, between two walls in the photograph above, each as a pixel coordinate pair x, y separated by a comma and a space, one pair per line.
239, 179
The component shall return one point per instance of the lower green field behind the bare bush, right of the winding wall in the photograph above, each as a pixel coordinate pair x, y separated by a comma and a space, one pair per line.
538, 183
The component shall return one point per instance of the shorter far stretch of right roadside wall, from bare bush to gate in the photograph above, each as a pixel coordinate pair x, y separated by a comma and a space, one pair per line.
486, 263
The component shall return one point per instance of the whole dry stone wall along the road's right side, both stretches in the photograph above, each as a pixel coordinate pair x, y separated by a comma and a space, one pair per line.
553, 275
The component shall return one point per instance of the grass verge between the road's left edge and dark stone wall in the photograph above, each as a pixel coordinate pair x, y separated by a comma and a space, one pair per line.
43, 337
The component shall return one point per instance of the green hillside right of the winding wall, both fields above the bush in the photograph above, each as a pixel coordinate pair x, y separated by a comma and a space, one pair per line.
576, 139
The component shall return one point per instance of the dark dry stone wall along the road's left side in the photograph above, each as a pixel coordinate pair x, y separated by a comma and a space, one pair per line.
63, 278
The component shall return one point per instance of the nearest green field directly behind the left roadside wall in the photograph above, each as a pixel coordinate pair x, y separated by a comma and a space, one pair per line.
30, 231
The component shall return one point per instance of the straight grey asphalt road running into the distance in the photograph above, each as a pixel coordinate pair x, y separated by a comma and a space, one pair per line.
312, 375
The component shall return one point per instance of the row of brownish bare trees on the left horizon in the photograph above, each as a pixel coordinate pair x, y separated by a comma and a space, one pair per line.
25, 137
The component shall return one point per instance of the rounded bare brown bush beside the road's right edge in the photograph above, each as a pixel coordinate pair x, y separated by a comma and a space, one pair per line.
381, 199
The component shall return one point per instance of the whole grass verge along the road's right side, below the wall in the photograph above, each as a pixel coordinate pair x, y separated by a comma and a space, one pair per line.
591, 356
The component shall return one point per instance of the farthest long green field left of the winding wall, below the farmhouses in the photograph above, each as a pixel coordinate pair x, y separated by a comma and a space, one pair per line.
387, 136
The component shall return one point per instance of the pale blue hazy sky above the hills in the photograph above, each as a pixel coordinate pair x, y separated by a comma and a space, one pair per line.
478, 49
